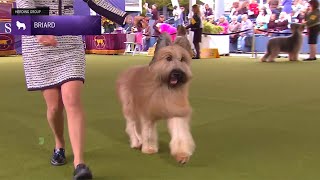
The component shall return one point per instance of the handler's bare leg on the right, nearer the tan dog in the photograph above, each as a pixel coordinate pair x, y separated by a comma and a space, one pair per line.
71, 96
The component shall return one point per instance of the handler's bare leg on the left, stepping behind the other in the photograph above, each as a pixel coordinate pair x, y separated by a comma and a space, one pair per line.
55, 115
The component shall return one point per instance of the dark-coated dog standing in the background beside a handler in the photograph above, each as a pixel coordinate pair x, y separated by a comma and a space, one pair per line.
291, 44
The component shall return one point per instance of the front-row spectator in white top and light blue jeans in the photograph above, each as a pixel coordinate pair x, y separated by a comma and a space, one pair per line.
246, 24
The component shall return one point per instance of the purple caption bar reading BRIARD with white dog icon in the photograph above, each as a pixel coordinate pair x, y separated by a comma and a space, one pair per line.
56, 25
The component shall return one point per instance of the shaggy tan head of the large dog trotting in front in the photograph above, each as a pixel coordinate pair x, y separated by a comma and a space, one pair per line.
171, 63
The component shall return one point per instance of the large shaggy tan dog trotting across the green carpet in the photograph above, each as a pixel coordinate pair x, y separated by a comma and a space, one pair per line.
158, 91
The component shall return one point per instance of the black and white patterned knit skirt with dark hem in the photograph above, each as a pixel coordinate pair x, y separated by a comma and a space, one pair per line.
48, 67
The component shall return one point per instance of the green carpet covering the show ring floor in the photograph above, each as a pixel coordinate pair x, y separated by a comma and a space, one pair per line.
251, 121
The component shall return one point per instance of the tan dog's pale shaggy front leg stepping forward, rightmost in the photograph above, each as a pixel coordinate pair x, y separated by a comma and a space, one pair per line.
181, 144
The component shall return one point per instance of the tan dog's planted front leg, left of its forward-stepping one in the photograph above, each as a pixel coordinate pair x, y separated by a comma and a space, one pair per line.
149, 136
